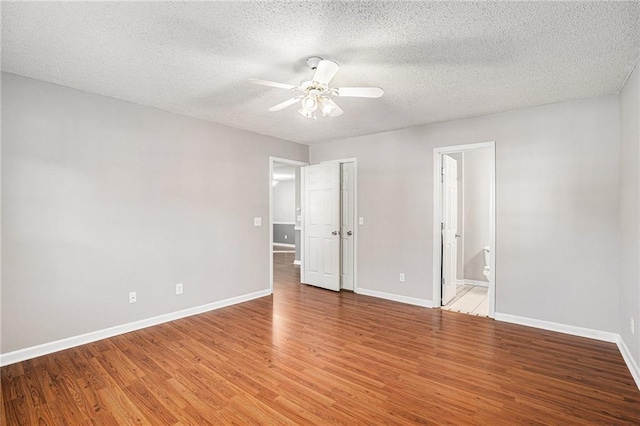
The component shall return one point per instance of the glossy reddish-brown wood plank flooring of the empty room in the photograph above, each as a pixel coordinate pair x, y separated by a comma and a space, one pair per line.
310, 356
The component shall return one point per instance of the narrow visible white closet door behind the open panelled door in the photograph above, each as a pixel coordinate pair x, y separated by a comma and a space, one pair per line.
347, 228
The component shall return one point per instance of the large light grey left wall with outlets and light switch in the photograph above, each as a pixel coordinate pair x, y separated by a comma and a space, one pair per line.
101, 197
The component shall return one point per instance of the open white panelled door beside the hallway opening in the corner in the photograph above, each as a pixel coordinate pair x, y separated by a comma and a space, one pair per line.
321, 225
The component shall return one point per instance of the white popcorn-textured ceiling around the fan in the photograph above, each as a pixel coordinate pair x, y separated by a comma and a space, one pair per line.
436, 61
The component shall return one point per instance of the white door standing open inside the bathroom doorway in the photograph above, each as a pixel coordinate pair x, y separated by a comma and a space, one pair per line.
449, 227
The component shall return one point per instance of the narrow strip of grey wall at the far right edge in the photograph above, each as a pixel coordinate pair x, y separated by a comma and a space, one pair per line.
630, 214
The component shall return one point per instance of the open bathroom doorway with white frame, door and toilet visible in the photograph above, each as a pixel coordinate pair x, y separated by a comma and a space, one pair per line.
464, 209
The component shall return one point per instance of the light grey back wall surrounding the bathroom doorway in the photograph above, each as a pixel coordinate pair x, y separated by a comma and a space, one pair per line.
557, 255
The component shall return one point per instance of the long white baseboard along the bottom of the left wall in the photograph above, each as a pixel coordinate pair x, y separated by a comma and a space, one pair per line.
70, 342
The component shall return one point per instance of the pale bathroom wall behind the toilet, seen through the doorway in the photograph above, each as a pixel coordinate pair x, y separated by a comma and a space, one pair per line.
477, 197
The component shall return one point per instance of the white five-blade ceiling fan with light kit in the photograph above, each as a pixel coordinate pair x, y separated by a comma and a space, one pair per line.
316, 93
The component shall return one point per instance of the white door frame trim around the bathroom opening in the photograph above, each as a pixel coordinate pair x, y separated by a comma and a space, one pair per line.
437, 219
